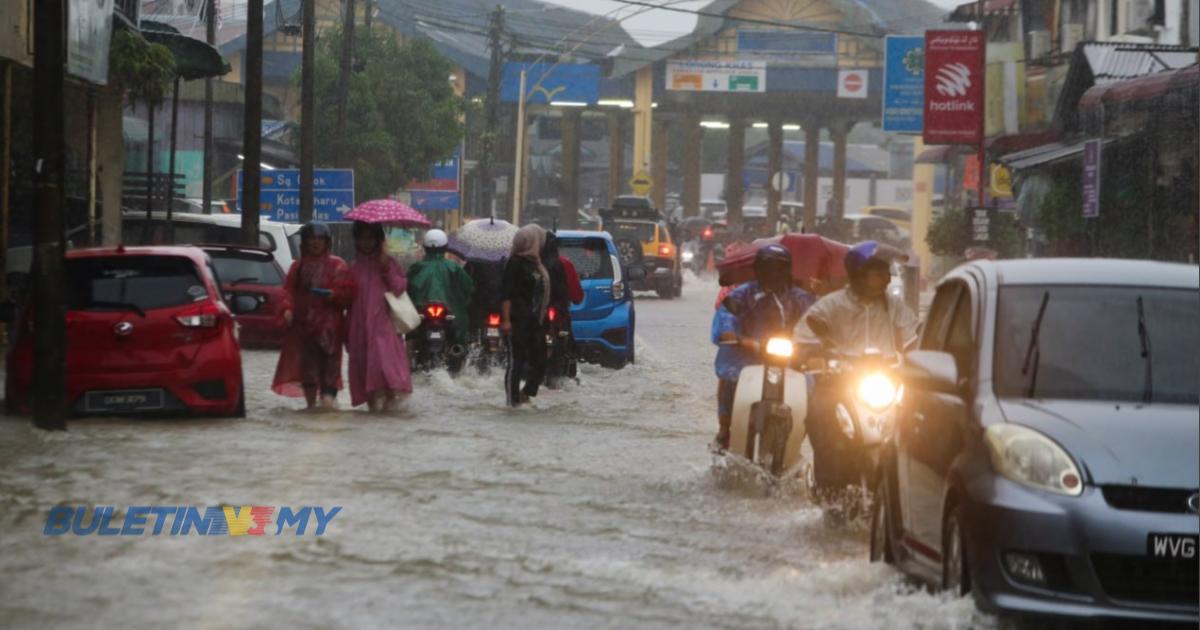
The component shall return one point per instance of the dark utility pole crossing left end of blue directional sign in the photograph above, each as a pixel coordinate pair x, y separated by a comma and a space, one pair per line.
253, 134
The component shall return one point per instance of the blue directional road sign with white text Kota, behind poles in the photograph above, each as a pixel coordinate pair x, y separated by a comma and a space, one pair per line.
280, 199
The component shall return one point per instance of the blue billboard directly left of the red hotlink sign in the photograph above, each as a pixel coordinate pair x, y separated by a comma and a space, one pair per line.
904, 85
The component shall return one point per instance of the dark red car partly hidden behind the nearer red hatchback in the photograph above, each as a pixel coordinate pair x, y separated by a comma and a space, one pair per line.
253, 284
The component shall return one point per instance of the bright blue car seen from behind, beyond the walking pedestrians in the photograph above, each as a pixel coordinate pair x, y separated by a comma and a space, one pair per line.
604, 323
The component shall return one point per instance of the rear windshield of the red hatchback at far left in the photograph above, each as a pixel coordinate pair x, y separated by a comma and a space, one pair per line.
143, 281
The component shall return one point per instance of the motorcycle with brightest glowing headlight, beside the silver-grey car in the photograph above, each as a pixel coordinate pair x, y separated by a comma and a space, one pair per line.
867, 395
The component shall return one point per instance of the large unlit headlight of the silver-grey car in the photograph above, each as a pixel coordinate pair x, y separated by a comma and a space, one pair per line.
1033, 460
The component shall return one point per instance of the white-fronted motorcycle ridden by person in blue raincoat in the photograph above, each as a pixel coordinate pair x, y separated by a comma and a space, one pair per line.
770, 407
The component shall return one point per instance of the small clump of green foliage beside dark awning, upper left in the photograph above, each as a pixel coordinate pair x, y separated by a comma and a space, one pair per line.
142, 69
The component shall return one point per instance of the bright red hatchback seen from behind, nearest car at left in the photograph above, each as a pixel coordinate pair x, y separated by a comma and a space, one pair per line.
148, 332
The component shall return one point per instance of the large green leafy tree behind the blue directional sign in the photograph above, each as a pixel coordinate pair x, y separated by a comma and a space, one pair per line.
403, 116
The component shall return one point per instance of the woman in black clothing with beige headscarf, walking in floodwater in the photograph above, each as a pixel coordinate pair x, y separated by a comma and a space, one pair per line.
525, 299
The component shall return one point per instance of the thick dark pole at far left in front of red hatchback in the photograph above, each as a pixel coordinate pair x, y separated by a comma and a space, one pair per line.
50, 271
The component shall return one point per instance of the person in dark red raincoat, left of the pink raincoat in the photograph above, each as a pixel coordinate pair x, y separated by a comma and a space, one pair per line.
319, 291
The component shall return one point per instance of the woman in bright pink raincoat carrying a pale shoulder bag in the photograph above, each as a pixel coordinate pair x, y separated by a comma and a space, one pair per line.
380, 370
